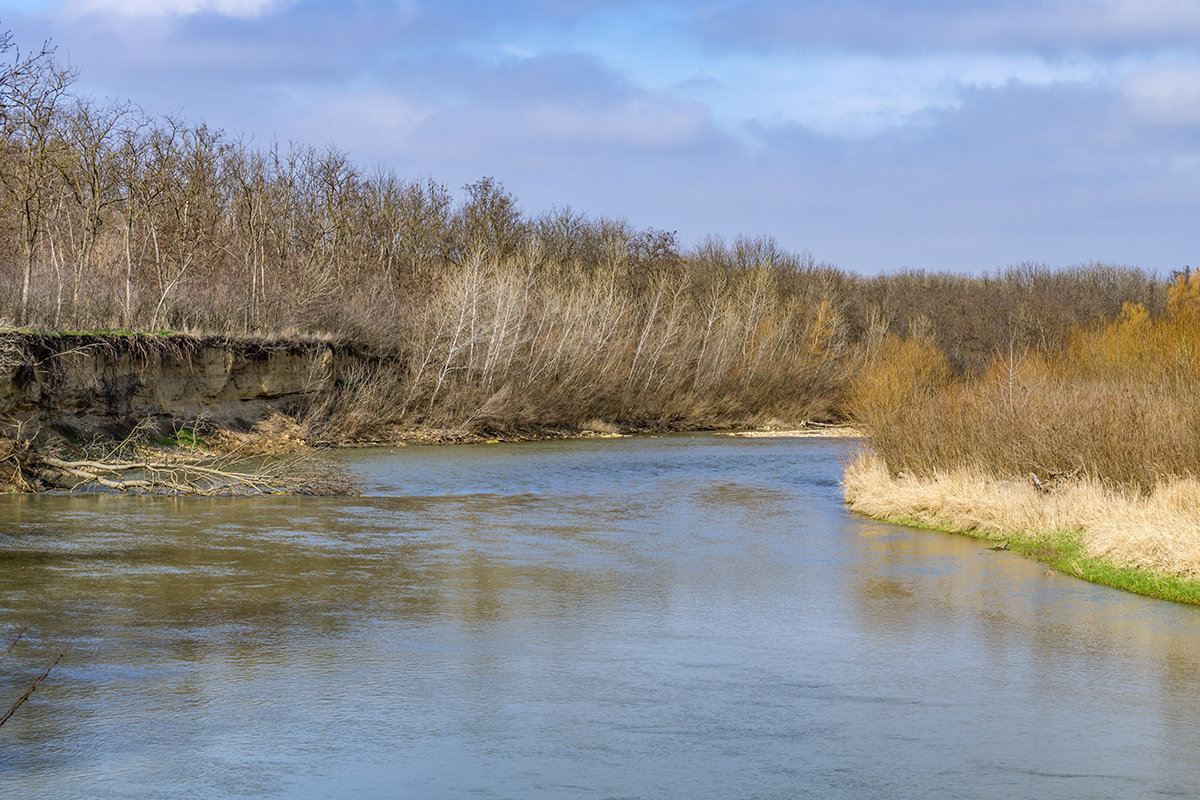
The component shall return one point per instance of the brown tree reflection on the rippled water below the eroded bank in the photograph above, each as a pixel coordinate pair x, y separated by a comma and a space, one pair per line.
278, 566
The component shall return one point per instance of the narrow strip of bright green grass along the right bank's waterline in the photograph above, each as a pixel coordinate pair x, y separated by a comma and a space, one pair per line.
1064, 552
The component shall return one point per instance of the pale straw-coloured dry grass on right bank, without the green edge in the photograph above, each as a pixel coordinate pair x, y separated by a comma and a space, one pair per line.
1159, 531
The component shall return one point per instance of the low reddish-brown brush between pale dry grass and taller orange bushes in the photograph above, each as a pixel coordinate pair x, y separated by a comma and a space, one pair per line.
1031, 419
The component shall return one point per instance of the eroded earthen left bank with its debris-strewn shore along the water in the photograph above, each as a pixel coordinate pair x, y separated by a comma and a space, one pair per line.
177, 399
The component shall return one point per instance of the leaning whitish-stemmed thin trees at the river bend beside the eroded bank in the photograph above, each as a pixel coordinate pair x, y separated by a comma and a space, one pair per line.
497, 346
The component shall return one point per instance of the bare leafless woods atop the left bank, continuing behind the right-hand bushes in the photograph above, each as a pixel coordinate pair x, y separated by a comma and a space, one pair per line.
112, 219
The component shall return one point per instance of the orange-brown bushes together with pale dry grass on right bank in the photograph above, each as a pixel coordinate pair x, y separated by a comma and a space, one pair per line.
1096, 438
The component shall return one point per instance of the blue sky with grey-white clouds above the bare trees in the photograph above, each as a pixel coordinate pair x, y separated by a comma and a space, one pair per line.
935, 135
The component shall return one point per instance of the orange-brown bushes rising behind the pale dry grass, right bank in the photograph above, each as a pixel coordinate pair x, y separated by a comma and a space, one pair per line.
1120, 404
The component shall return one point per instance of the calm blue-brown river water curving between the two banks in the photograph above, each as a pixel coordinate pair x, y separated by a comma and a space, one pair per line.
679, 617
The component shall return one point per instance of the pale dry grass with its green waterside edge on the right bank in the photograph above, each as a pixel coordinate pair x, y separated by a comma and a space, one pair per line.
1097, 534
